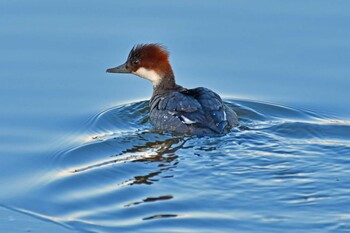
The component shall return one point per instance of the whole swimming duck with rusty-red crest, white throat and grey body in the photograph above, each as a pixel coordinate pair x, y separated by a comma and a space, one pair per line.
173, 108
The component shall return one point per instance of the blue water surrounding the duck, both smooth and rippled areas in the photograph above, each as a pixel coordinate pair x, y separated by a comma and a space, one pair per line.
77, 148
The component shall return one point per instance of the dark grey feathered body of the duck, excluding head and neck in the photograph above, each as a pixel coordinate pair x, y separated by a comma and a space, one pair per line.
198, 111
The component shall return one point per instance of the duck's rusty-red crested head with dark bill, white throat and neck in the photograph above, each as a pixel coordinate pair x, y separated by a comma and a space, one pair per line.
149, 61
